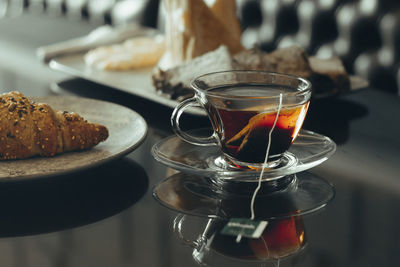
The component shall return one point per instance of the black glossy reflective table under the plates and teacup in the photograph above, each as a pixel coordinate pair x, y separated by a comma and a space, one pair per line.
106, 216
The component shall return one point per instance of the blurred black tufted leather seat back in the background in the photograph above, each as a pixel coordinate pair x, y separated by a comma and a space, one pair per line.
365, 34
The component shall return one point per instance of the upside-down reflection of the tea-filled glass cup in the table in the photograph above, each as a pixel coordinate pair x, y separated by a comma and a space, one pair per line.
282, 239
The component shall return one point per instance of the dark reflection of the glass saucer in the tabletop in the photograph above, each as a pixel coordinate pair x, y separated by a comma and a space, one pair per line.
293, 195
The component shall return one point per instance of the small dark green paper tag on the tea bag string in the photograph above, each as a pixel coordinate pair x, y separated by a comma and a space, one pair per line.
244, 227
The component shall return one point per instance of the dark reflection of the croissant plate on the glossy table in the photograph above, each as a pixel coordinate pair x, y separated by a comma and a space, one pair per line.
56, 203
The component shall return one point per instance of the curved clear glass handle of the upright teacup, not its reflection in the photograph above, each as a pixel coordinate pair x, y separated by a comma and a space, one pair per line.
176, 114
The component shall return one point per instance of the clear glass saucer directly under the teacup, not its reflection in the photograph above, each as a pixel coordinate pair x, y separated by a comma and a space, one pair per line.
308, 150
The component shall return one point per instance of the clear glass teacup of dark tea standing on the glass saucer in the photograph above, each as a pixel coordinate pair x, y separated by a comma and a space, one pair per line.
246, 108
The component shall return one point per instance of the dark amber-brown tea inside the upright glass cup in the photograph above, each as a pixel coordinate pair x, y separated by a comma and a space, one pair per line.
244, 133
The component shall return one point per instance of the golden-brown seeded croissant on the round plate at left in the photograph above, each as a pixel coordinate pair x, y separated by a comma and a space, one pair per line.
30, 129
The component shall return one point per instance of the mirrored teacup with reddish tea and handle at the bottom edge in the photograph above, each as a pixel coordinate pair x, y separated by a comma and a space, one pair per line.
281, 238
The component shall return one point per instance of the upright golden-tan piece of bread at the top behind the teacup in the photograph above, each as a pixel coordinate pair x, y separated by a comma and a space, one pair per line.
193, 30
